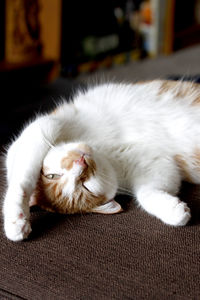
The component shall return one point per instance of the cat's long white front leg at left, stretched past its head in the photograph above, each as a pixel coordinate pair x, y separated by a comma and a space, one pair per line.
24, 161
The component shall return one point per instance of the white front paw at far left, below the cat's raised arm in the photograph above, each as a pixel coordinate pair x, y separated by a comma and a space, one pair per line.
17, 229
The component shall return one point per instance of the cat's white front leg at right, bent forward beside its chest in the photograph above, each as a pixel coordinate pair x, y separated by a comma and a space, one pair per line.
156, 191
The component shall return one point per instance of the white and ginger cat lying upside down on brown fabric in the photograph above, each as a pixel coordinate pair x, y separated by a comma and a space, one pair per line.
141, 138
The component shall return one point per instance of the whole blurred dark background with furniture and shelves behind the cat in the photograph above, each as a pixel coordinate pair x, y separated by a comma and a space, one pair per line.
48, 48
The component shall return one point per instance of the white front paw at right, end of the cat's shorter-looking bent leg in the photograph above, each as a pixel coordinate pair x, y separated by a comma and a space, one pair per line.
179, 215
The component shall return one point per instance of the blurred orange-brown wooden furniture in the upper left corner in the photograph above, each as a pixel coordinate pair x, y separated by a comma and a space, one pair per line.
30, 38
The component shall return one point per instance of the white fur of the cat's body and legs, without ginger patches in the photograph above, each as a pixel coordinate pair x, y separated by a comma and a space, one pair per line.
136, 130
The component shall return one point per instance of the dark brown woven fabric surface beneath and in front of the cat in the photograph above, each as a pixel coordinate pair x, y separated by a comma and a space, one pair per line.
126, 256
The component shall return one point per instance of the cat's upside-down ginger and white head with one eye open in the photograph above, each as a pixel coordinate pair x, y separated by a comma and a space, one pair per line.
74, 179
